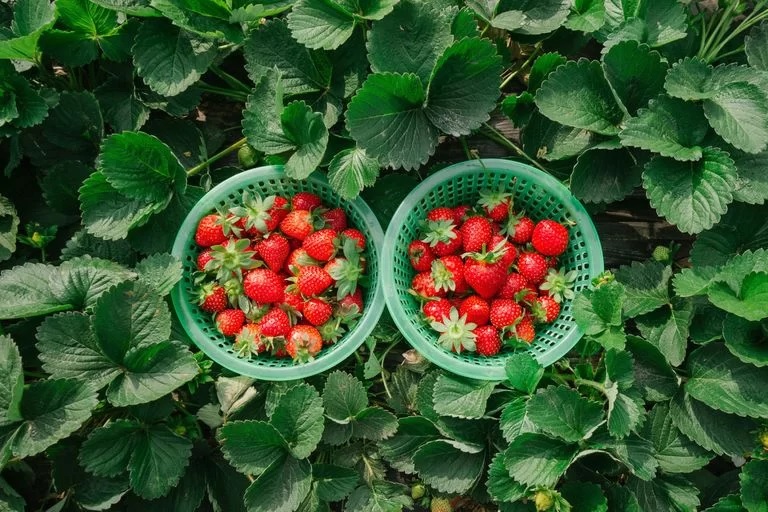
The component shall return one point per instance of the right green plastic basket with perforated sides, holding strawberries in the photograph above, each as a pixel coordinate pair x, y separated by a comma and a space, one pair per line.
541, 196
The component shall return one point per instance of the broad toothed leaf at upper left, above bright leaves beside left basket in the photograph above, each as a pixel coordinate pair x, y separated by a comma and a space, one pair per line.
168, 58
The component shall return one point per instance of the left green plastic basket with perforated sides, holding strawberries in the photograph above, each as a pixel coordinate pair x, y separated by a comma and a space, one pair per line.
200, 326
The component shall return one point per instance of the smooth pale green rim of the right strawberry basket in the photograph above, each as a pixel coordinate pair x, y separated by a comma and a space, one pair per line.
436, 354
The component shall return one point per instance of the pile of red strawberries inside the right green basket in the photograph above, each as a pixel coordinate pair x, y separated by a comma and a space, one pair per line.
487, 276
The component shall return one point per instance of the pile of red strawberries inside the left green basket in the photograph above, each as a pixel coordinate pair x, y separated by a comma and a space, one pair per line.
280, 275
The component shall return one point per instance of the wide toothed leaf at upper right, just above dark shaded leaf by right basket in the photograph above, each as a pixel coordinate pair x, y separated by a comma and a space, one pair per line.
670, 127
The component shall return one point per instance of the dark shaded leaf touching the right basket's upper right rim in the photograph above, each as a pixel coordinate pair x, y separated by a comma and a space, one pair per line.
605, 176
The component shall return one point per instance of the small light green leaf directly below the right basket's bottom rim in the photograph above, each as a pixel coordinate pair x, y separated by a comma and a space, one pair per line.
460, 397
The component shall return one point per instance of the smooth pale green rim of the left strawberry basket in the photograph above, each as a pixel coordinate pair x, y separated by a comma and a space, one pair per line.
184, 309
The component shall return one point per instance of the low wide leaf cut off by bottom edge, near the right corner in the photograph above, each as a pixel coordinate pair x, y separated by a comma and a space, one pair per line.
671, 493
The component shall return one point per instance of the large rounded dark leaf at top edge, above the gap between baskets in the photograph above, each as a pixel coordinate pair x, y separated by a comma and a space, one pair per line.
410, 39
